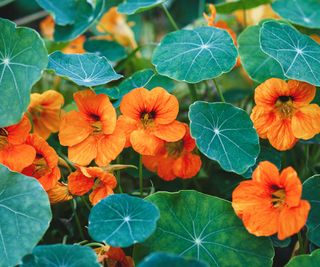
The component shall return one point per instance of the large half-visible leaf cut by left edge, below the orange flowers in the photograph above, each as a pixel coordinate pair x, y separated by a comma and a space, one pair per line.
25, 215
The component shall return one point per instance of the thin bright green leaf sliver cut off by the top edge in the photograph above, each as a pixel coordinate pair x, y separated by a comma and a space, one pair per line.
230, 6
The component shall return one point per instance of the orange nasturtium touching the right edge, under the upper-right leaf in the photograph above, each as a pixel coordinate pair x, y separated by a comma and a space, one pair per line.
283, 113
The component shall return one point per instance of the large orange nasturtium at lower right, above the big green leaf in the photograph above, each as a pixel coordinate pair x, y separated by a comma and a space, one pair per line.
271, 202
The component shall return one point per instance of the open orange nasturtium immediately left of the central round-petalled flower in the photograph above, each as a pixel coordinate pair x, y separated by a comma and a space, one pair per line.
92, 132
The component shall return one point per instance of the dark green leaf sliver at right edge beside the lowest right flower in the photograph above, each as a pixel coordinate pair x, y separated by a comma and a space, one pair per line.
311, 192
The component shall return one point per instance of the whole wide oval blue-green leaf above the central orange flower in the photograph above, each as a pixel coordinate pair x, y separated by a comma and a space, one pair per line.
195, 55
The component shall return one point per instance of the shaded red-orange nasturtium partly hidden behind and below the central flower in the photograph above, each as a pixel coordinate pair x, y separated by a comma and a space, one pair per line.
175, 159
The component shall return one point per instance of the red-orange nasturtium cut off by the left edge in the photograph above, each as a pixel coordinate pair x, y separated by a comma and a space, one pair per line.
14, 153
